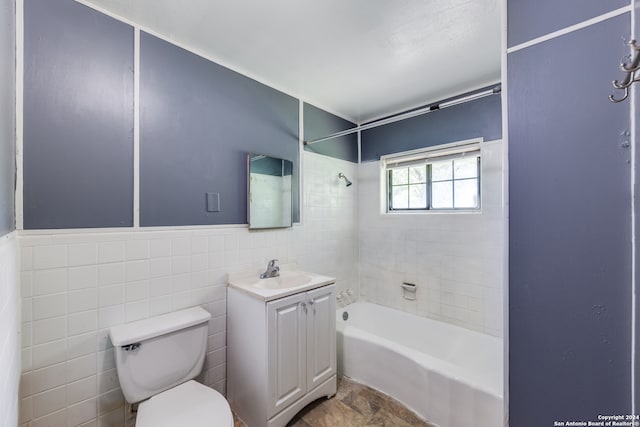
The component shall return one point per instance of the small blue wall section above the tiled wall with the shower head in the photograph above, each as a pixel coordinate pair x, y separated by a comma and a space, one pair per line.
319, 123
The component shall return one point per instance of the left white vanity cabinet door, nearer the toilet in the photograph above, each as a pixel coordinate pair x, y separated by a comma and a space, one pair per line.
287, 351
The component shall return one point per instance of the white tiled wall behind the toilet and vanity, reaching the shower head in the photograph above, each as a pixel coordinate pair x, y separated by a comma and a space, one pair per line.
76, 286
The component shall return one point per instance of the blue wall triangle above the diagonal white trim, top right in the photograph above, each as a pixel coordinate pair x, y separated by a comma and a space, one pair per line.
531, 19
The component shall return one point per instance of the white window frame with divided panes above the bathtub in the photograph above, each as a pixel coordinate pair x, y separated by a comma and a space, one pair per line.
428, 156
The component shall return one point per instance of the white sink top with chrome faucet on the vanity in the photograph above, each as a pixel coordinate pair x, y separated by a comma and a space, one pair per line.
287, 283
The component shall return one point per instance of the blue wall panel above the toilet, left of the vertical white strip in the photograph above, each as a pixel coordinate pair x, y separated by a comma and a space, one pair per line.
78, 117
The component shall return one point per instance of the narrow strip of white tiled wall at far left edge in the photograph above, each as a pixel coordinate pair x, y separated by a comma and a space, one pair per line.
9, 331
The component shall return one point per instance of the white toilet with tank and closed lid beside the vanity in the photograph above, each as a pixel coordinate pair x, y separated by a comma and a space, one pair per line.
157, 360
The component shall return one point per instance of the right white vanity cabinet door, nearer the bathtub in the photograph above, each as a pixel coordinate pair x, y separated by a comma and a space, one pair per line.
321, 335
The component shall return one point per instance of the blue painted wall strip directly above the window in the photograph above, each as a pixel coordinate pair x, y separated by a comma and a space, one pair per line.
479, 118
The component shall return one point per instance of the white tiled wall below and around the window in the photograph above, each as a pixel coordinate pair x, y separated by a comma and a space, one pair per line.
455, 259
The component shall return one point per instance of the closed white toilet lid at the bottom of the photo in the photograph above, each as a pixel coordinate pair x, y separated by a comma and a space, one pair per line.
190, 404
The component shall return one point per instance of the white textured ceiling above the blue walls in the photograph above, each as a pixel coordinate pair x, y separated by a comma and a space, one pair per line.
361, 59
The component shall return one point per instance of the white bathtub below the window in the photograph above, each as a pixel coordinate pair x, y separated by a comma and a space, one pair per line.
449, 375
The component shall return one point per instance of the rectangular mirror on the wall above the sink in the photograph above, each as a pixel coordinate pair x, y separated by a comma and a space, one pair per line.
270, 192
